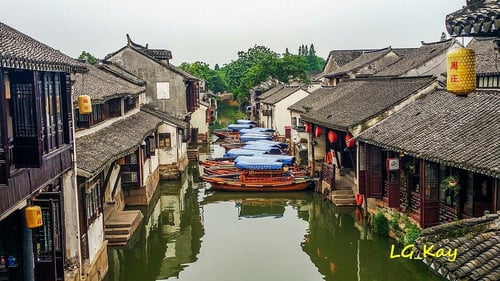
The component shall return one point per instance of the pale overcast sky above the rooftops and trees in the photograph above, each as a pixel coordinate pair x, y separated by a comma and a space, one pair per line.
213, 31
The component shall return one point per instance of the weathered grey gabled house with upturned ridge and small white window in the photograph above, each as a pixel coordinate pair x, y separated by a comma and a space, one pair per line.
168, 89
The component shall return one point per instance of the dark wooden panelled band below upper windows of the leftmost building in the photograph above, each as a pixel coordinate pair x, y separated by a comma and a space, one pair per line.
24, 182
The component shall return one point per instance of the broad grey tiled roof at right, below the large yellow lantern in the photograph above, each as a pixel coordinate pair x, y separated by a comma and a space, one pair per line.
463, 132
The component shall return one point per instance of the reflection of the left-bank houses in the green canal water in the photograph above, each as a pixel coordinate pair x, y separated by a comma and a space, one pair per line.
168, 238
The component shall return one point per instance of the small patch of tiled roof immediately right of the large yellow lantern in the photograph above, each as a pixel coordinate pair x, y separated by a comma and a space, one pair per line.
486, 61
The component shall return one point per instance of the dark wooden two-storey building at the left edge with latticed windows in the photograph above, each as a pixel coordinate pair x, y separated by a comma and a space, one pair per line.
37, 161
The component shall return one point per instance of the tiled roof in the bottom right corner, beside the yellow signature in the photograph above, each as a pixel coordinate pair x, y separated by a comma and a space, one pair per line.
478, 252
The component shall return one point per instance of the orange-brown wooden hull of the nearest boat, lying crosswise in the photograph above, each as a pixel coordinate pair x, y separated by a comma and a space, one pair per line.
260, 184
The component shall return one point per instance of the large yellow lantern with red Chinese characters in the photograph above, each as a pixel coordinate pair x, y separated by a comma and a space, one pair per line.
461, 69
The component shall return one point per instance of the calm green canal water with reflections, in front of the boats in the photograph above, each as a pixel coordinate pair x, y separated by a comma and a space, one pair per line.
190, 233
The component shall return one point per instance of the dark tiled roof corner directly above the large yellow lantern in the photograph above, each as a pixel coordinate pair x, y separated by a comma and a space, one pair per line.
480, 19
